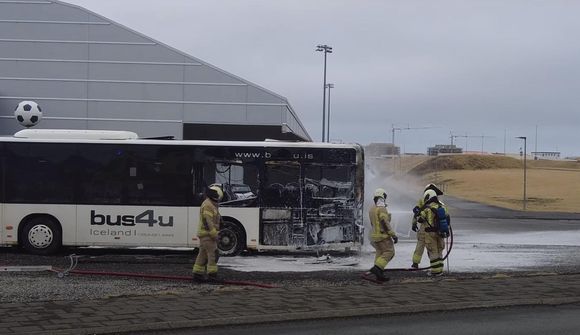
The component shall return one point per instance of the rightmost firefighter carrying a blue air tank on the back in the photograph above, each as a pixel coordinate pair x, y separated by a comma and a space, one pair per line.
434, 242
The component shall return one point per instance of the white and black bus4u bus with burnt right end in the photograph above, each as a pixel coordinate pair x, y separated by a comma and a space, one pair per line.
113, 189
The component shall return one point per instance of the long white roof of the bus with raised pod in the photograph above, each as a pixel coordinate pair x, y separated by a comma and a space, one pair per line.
128, 137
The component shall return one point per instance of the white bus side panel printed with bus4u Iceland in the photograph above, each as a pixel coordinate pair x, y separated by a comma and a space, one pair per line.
132, 226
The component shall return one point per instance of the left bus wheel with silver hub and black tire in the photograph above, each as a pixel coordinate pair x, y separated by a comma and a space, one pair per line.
41, 235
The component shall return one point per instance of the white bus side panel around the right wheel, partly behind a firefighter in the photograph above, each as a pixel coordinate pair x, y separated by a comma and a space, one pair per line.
248, 217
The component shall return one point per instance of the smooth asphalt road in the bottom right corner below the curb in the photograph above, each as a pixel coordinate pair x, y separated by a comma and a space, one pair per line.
531, 320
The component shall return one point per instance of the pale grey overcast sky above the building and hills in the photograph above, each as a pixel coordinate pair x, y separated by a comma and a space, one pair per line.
477, 68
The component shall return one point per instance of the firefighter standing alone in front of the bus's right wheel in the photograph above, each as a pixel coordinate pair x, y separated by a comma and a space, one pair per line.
207, 232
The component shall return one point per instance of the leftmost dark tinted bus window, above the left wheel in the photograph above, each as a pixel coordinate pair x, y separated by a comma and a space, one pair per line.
40, 173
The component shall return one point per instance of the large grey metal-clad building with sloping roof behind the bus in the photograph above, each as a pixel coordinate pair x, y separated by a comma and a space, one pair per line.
88, 72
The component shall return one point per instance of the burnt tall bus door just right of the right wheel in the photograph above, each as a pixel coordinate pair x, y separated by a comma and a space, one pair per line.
282, 210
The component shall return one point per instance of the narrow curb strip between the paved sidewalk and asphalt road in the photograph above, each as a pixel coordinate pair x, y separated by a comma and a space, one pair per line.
318, 315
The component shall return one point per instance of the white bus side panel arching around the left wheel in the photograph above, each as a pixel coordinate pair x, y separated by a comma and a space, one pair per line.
65, 214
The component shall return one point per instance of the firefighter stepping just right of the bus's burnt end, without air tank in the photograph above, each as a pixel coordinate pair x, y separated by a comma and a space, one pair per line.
383, 237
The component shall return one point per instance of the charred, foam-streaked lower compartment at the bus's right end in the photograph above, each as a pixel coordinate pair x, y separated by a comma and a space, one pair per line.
324, 212
